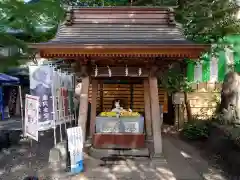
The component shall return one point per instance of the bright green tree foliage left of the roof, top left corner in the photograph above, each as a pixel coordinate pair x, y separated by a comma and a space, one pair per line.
23, 22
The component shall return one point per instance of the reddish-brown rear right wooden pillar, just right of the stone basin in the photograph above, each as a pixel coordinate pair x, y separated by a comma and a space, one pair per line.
147, 108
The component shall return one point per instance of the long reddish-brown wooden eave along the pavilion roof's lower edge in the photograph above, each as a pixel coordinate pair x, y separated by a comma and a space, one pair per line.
161, 50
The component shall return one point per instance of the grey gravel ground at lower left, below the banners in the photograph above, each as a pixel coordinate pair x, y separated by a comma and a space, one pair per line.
23, 159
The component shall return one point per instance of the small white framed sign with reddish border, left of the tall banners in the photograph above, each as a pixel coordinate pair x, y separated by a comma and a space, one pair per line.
31, 116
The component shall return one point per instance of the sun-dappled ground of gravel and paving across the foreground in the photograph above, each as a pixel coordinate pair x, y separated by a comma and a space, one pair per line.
23, 160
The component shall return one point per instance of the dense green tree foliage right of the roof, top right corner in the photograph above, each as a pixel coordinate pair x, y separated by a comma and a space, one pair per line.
208, 21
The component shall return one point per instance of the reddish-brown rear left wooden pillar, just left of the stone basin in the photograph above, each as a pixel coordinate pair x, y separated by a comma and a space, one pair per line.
93, 106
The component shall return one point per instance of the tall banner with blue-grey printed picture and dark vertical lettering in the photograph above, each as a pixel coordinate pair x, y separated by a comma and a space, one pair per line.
41, 85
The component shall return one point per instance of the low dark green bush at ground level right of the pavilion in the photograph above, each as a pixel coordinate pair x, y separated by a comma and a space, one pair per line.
196, 130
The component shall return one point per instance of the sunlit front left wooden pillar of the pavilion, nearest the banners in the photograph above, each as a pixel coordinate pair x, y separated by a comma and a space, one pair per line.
83, 109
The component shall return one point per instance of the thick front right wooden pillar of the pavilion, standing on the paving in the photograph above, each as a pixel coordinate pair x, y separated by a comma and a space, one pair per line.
156, 117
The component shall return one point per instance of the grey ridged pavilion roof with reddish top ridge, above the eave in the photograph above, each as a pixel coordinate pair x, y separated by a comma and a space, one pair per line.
119, 25
